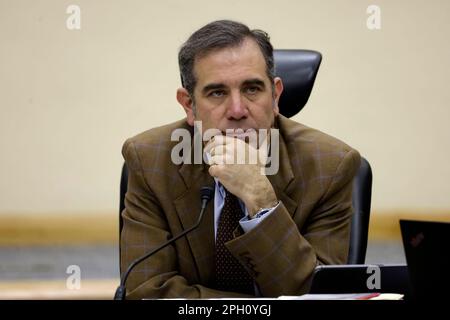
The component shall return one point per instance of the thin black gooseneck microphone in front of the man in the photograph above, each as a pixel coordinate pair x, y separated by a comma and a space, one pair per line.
206, 194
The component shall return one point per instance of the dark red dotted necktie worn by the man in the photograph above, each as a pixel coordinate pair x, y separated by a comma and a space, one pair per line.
230, 274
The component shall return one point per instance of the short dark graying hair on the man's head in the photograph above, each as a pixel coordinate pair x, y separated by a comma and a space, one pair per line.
218, 35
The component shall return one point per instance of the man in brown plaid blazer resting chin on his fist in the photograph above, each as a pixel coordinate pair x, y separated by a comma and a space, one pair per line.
263, 235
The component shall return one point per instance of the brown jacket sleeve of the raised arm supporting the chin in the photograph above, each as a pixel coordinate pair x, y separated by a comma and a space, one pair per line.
281, 256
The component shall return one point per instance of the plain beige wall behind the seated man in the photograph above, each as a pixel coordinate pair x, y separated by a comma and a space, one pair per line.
68, 99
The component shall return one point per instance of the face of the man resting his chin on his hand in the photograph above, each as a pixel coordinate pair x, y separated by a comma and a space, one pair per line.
233, 90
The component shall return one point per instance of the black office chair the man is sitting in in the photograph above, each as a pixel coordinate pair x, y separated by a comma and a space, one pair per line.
298, 69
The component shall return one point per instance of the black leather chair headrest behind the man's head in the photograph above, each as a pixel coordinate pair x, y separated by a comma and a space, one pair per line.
298, 70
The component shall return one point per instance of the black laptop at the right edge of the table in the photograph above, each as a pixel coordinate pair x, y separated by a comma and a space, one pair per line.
427, 251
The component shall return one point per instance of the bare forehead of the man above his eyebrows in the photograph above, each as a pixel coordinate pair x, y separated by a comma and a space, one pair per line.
231, 65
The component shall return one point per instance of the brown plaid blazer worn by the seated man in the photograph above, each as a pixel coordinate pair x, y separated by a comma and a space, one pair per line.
311, 226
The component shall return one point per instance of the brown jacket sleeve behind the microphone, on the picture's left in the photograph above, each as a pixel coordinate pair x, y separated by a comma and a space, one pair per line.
145, 227
